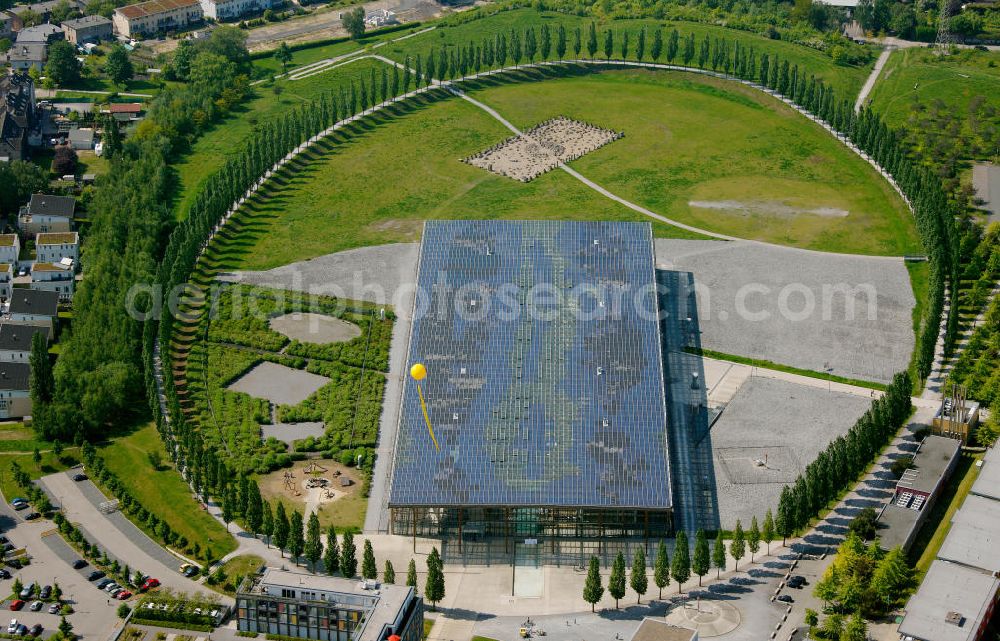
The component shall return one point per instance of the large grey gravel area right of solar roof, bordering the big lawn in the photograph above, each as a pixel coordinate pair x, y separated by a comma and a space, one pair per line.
754, 300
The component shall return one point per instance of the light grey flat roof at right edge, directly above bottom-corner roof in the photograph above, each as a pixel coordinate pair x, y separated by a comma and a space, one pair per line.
974, 537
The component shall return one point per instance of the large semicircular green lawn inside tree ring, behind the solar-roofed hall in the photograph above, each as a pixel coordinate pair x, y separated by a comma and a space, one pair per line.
686, 138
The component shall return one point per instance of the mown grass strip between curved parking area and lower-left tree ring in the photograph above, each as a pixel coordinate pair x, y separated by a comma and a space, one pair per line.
163, 491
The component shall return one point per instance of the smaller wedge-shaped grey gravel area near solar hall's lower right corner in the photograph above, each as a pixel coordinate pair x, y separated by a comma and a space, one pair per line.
780, 422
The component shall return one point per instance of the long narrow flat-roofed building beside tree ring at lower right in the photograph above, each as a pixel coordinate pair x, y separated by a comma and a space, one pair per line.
916, 491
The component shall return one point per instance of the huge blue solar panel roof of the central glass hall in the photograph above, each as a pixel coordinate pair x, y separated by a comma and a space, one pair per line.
544, 377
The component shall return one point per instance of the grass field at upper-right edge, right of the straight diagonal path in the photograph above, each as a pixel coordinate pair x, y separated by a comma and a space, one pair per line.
922, 73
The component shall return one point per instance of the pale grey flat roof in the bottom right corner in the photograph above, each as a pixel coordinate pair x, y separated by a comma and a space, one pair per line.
949, 588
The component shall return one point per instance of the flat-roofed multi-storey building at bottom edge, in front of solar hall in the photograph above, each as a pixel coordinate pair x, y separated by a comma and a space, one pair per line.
326, 608
